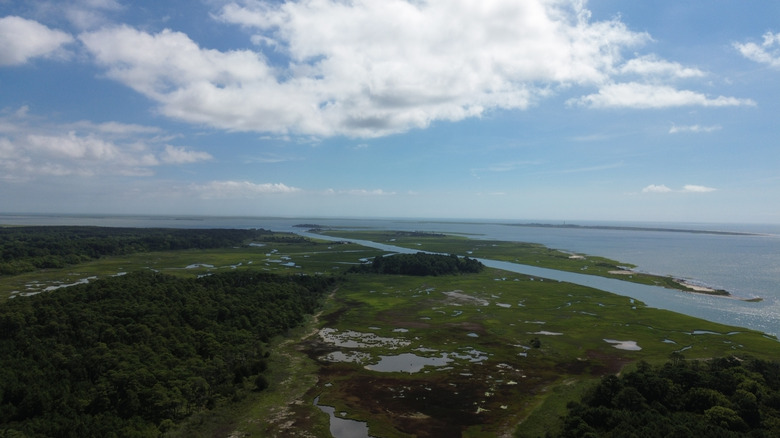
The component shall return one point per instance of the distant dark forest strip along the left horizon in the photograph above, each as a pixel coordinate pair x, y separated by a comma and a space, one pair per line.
25, 249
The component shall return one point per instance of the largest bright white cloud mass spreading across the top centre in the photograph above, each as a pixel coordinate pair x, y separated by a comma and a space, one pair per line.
367, 68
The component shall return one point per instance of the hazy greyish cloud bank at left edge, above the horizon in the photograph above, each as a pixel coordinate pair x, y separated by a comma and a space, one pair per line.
30, 148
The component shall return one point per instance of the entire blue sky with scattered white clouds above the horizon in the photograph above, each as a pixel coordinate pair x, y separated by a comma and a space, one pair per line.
558, 110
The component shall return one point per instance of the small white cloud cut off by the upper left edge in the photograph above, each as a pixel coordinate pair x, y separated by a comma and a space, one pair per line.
22, 39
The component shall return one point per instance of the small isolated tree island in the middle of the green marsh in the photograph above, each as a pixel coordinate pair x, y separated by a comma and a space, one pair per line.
420, 264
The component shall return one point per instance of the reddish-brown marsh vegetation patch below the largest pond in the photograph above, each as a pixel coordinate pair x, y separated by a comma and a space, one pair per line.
437, 403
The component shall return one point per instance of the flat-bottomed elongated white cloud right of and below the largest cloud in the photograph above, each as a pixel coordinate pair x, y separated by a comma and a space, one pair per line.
640, 95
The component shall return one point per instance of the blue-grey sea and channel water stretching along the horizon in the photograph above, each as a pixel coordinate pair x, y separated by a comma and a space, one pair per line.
747, 265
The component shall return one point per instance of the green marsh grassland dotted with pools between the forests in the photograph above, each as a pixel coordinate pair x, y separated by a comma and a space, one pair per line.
477, 355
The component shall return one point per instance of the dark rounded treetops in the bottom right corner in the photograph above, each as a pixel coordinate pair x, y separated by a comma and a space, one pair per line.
725, 397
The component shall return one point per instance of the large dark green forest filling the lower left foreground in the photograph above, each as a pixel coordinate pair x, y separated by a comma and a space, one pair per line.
132, 355
